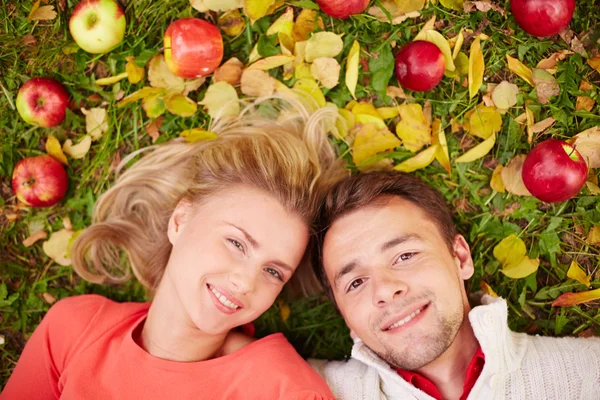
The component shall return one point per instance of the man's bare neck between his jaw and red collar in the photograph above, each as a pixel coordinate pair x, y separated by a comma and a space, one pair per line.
448, 371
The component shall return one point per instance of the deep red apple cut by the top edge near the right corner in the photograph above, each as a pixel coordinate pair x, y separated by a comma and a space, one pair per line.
542, 17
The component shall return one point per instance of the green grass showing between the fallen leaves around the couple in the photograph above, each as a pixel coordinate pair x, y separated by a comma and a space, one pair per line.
555, 233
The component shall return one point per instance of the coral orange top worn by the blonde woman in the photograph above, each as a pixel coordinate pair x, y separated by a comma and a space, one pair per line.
84, 349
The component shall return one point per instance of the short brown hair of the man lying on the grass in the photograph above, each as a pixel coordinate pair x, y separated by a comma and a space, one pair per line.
361, 190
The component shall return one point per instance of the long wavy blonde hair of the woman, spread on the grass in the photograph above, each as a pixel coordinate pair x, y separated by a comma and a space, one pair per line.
275, 144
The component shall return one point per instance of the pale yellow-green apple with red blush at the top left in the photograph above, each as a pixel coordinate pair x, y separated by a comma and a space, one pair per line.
97, 26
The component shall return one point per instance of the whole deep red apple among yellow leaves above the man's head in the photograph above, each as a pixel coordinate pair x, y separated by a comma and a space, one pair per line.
420, 66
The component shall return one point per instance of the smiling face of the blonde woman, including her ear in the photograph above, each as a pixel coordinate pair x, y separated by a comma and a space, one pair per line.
231, 256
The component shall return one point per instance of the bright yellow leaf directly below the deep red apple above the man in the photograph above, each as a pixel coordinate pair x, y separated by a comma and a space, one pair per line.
413, 128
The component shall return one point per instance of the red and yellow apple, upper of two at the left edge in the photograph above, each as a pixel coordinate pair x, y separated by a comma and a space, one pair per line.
42, 102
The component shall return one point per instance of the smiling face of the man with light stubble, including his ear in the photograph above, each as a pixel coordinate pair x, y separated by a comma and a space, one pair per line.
395, 281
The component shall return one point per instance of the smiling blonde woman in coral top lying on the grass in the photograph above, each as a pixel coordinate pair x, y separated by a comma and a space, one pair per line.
213, 230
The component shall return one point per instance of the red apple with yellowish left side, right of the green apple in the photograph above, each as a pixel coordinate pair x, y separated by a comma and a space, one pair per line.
193, 47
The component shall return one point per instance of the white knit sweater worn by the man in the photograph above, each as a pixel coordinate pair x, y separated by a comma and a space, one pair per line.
517, 366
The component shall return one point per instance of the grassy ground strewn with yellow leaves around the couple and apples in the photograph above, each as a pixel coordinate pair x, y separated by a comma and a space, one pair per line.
504, 91
